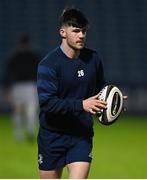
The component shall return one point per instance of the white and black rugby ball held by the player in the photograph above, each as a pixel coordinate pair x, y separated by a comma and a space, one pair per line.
114, 98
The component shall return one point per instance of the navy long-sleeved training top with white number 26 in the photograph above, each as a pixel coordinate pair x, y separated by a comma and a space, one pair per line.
63, 83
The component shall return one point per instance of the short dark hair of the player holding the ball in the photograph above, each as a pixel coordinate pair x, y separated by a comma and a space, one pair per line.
73, 17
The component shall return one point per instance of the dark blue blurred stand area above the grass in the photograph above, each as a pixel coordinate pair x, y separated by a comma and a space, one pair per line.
118, 30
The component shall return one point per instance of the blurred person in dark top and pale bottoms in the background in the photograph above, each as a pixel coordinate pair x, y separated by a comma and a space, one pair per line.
20, 84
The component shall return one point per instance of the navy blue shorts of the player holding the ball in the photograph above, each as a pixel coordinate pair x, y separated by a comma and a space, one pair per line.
55, 150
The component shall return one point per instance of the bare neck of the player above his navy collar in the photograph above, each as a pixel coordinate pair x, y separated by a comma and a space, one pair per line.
70, 52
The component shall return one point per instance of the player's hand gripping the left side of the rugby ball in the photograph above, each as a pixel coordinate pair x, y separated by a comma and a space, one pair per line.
93, 104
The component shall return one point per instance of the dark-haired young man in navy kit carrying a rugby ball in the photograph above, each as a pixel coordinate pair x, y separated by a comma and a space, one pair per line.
69, 80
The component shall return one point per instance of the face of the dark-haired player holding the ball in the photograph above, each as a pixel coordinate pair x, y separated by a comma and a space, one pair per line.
74, 37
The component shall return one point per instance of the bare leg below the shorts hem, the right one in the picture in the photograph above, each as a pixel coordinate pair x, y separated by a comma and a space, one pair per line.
78, 170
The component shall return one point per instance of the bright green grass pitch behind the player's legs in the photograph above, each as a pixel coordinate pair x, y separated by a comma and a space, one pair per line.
120, 151
